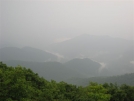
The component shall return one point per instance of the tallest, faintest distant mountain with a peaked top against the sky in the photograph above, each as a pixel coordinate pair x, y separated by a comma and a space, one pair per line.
100, 48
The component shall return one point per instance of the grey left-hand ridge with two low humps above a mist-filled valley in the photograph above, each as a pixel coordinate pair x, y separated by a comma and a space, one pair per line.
26, 54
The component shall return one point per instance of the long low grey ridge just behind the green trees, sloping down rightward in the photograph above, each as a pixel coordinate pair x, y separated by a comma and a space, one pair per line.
49, 70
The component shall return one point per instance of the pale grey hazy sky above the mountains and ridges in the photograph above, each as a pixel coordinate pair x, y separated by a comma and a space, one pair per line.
39, 22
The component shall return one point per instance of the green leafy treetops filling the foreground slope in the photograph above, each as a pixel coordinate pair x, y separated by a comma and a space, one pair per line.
21, 84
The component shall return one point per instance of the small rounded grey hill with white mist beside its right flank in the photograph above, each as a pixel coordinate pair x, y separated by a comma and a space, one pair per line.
84, 66
